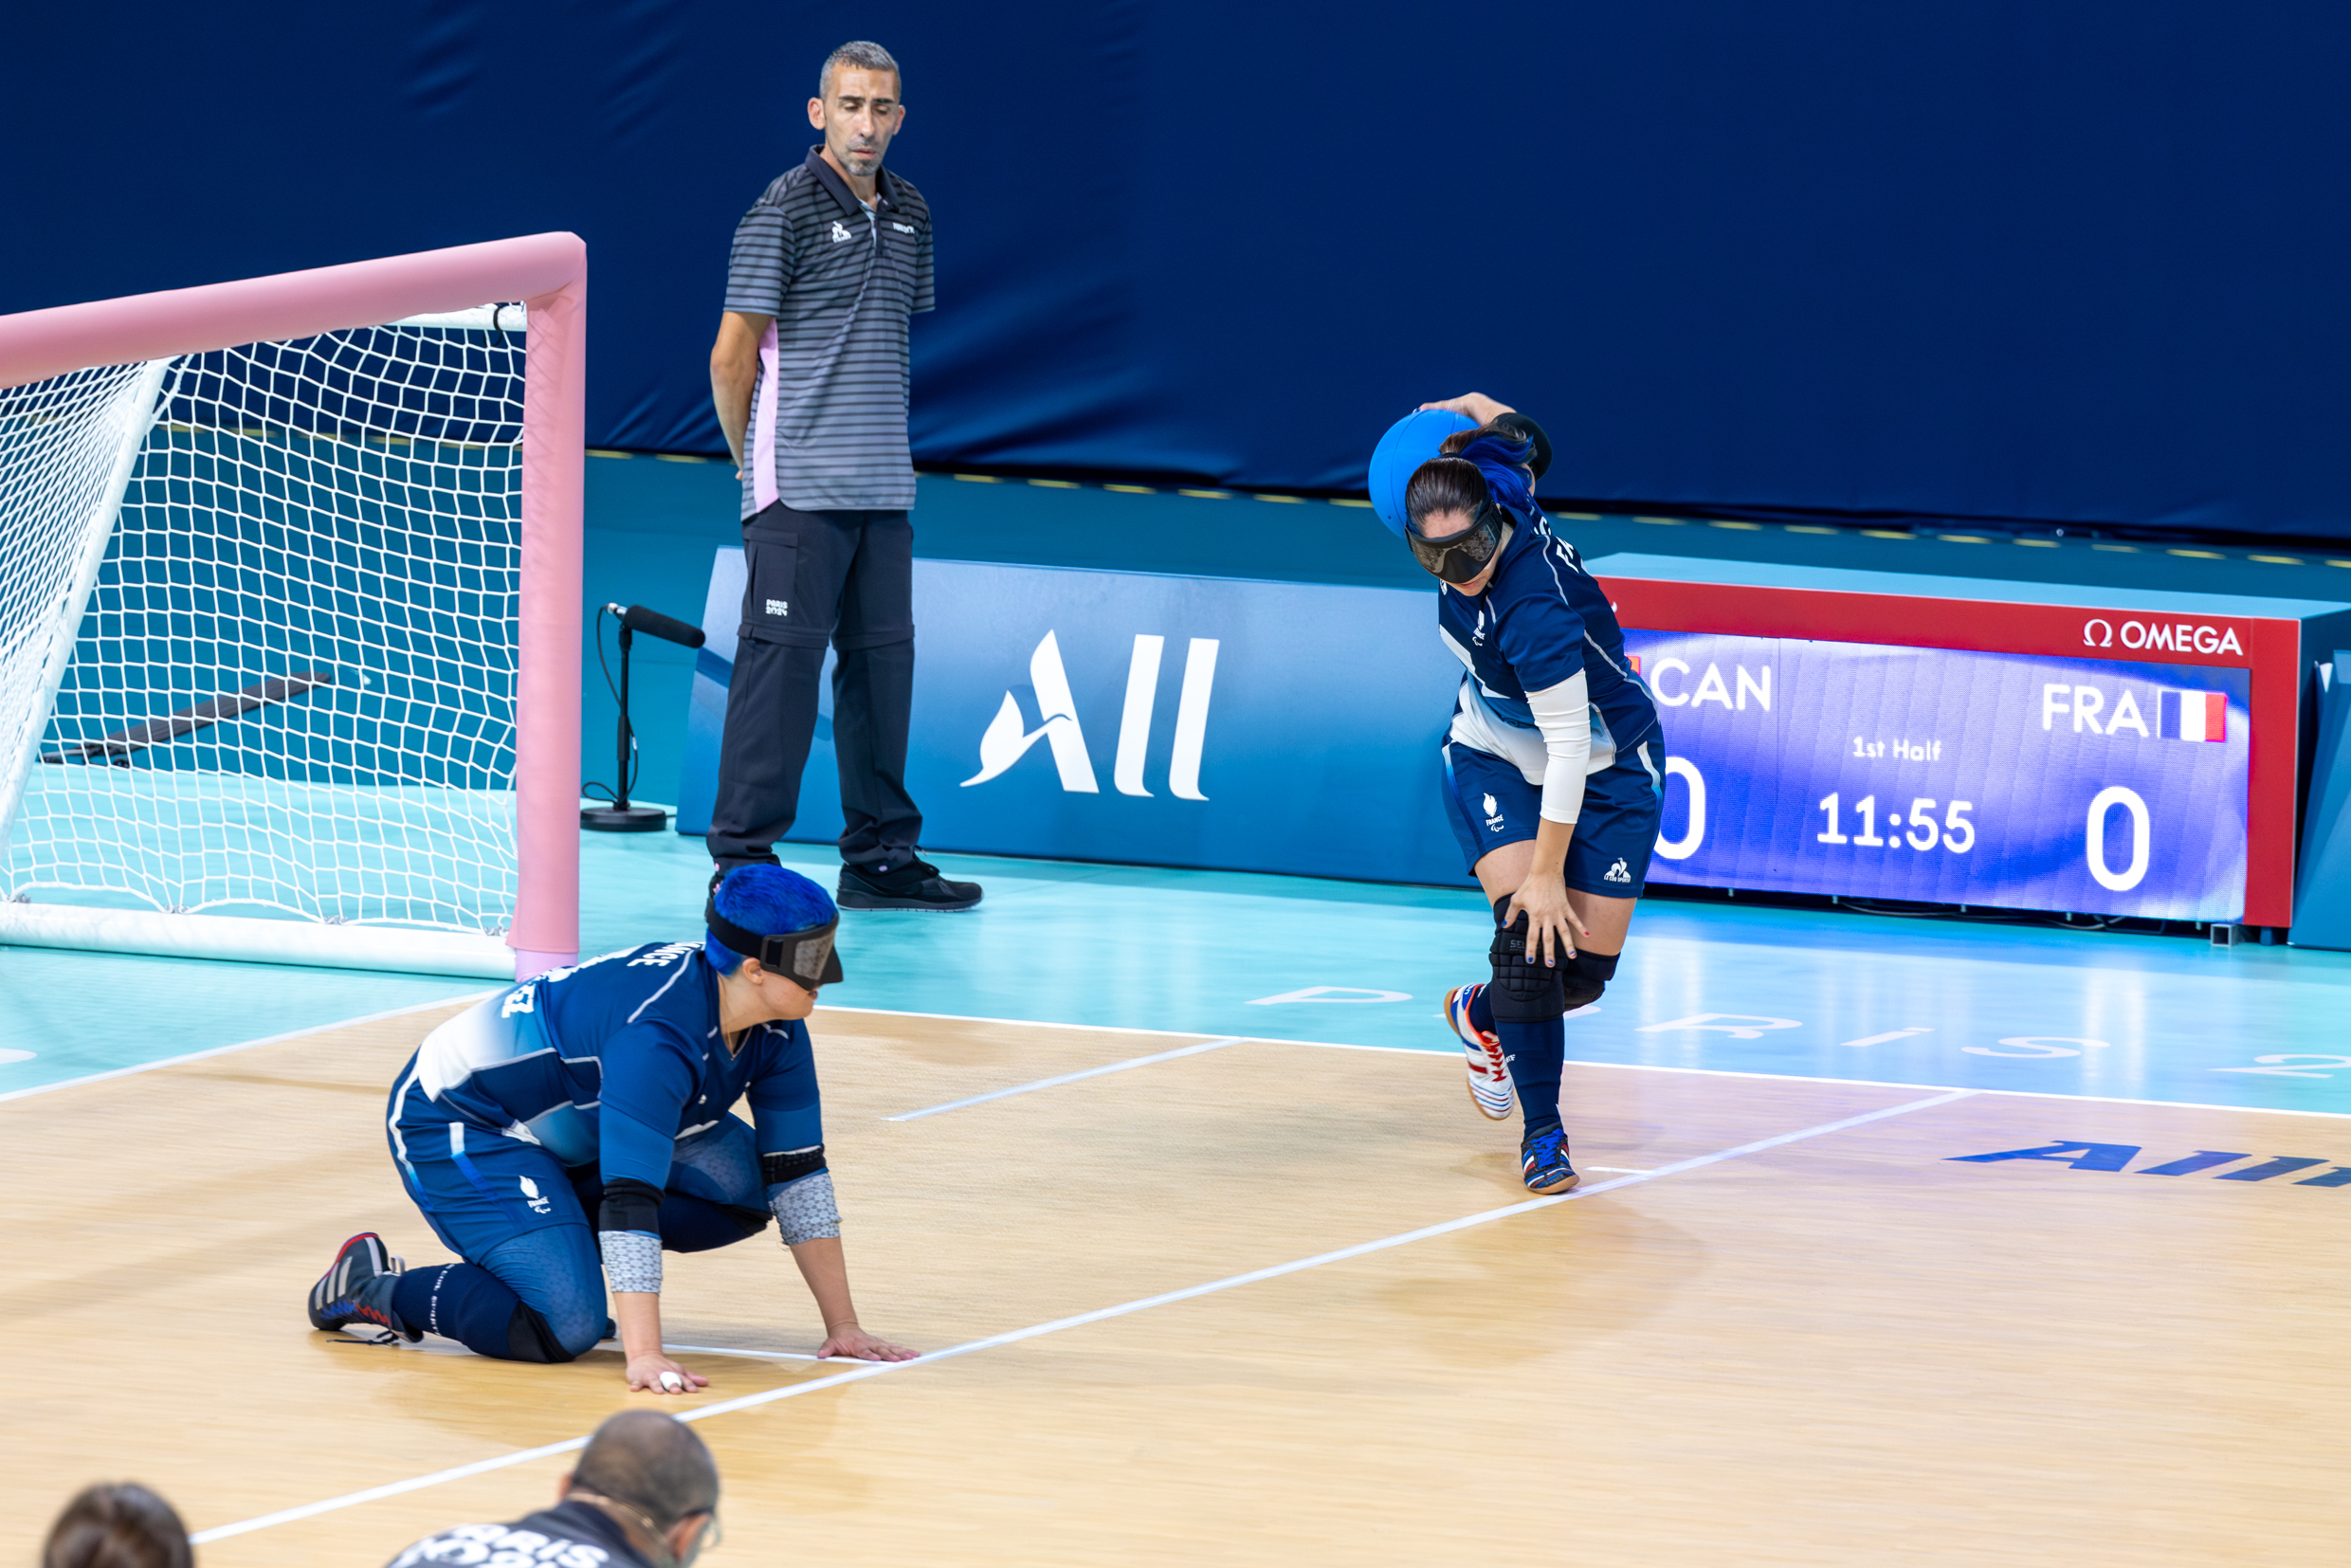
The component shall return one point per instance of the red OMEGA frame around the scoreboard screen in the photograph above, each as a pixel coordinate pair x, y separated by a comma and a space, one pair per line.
2268, 648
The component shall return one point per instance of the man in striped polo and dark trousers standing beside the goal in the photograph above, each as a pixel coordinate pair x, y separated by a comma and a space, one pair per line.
810, 380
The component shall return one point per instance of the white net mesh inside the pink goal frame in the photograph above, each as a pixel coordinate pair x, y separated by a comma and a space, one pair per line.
293, 688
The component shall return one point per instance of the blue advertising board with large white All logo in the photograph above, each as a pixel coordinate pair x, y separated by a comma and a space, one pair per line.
1158, 721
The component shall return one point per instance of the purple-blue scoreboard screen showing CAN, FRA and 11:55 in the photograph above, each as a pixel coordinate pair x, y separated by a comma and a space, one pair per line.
1953, 777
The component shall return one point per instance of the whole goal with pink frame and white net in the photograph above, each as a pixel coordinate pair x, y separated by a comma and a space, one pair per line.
290, 615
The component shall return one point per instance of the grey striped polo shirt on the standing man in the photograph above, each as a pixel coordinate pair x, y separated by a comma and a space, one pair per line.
840, 283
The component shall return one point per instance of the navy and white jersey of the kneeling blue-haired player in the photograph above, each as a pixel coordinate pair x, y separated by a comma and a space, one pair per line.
610, 1064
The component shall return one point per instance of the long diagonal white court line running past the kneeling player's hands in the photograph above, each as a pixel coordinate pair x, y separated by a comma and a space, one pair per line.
1080, 1320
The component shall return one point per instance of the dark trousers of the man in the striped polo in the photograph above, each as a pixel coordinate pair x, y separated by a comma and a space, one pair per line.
815, 579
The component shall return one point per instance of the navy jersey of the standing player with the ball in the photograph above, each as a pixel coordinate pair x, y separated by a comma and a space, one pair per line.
1539, 622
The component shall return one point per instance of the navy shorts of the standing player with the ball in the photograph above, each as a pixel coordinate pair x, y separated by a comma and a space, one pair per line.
1492, 805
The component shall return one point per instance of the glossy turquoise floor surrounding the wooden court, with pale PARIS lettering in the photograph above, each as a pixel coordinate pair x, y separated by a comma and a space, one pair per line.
1717, 989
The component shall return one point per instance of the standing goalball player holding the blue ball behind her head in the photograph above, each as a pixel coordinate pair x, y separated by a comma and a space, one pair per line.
1553, 765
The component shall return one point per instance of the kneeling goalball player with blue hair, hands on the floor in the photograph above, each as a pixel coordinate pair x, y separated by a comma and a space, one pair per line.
605, 1090
